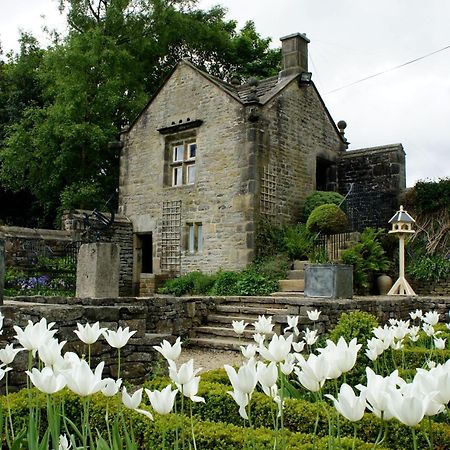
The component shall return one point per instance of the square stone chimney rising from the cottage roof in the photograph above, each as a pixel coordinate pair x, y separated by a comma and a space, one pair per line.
294, 49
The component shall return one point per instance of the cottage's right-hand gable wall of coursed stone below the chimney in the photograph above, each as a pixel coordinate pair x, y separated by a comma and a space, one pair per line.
298, 131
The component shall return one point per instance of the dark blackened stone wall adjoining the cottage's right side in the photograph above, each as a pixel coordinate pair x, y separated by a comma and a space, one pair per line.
376, 177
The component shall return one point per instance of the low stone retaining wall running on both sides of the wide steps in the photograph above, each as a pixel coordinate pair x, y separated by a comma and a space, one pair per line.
166, 317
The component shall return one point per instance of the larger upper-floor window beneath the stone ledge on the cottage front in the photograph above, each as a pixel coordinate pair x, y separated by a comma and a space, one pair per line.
183, 163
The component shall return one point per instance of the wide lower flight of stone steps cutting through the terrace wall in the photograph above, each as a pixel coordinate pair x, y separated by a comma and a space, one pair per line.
218, 332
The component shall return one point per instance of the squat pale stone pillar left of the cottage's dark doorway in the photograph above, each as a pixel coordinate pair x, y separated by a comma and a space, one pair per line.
98, 270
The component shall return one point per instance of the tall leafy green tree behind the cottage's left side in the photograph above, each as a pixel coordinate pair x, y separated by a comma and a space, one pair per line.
84, 89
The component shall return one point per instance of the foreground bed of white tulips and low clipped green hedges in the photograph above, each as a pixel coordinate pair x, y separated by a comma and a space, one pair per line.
293, 391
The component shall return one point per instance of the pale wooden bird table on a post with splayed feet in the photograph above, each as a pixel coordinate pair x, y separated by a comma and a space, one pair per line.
402, 226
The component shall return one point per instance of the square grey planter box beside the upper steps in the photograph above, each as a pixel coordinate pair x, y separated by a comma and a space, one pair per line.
328, 281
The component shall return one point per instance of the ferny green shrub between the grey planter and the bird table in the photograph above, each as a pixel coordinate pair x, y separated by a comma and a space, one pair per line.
367, 257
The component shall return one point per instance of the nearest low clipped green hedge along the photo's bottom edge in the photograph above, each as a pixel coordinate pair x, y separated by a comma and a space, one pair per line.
150, 434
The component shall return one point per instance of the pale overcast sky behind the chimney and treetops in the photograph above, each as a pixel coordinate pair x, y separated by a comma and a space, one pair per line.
350, 40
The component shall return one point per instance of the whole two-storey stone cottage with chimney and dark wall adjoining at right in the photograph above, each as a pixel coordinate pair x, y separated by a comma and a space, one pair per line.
205, 160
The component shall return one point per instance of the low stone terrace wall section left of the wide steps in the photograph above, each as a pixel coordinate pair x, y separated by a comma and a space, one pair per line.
154, 319
